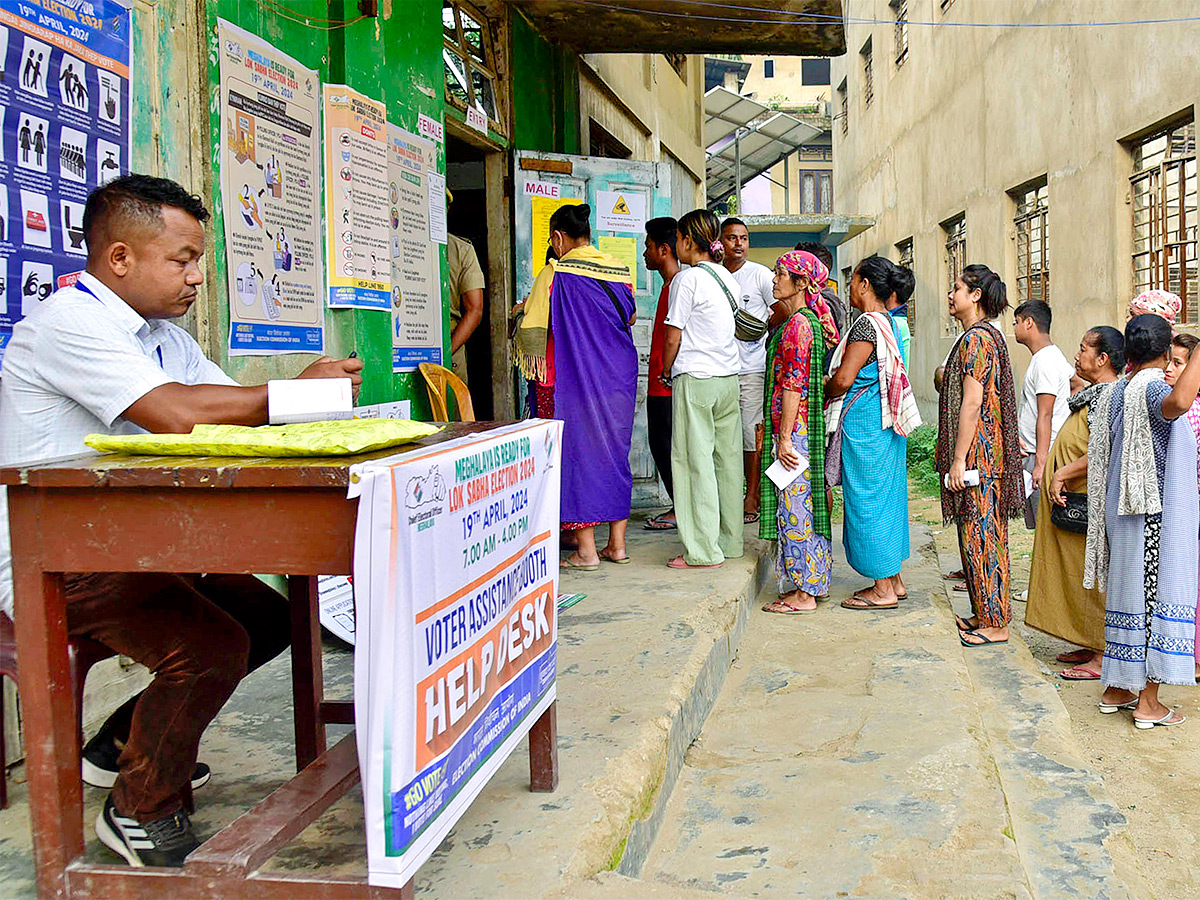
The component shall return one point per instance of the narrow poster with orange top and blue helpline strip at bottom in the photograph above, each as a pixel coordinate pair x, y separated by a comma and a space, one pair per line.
357, 239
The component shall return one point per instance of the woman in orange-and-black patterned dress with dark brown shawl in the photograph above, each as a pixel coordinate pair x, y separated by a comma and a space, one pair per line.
977, 431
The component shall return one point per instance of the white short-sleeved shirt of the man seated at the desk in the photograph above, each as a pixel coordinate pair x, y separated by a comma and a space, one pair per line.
73, 368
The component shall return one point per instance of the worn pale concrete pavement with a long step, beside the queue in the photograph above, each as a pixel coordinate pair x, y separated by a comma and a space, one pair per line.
709, 748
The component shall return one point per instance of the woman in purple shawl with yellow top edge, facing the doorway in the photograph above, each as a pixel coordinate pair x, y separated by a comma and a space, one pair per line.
575, 345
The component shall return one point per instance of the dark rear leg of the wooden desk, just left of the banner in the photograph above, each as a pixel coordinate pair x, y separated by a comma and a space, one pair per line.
308, 676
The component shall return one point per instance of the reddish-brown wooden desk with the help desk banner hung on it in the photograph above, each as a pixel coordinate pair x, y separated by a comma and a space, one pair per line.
127, 514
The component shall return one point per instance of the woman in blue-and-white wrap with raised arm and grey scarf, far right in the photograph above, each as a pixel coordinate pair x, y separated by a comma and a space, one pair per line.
1143, 496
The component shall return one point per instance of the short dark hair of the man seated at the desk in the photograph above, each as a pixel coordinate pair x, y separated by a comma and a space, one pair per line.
134, 202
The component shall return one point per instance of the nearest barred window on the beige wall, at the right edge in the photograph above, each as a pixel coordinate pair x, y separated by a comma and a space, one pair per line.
1163, 193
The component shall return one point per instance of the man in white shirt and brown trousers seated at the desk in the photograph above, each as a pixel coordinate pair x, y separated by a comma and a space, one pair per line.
101, 357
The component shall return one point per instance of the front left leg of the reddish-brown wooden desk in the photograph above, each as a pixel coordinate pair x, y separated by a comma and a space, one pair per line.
52, 745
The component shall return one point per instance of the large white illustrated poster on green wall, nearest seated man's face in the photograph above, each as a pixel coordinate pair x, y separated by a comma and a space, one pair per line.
271, 183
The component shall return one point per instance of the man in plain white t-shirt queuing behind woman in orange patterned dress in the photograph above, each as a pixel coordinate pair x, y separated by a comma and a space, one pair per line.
1043, 409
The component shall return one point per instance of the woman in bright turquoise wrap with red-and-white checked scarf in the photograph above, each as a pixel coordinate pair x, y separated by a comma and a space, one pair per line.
872, 412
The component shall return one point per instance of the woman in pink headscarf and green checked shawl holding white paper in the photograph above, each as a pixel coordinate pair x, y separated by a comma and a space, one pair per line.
795, 411
